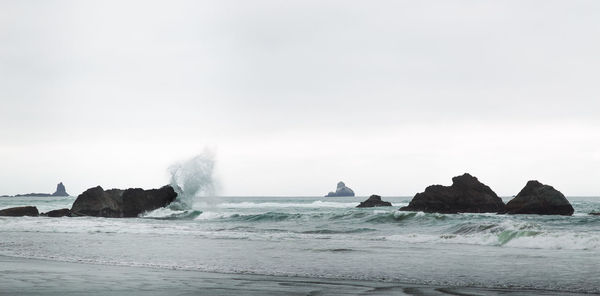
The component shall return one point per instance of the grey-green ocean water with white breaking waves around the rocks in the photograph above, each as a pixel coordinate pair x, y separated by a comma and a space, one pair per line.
323, 239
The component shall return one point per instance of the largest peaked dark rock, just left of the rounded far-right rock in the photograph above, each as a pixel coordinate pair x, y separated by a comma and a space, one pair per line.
466, 195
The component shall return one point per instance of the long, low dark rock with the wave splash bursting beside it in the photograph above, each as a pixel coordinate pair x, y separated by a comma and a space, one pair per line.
117, 203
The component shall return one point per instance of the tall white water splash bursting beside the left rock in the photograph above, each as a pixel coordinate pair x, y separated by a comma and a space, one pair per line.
193, 180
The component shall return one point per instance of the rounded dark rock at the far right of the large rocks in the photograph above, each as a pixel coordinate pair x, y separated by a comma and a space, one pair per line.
537, 198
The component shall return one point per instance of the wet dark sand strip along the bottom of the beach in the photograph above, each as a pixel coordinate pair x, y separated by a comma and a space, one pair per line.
19, 276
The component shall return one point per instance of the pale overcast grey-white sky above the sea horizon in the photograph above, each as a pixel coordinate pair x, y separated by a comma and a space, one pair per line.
290, 97
